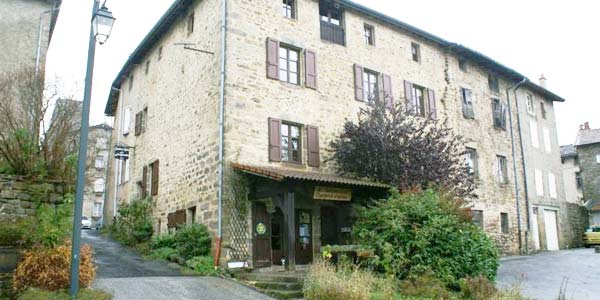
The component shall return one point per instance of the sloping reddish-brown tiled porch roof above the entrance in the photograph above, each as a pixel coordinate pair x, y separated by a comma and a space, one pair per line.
280, 174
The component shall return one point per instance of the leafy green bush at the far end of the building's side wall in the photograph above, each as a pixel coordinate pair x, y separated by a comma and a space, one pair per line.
134, 224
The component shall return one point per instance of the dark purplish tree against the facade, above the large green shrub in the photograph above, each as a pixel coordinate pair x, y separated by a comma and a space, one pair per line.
389, 145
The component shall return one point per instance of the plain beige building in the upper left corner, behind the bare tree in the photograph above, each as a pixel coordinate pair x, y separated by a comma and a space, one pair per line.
25, 30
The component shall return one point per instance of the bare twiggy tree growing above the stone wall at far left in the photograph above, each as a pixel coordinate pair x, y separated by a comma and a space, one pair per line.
27, 147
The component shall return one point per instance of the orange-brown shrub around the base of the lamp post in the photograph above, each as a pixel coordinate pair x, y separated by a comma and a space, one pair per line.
49, 268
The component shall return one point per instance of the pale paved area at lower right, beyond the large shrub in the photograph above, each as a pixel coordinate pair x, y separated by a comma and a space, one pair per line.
541, 275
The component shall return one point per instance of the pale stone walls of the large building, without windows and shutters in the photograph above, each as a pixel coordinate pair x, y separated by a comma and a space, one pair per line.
180, 92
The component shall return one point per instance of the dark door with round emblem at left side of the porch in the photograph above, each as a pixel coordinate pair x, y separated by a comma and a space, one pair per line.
261, 233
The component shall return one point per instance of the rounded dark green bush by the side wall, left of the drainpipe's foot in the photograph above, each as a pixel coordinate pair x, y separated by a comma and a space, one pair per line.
193, 241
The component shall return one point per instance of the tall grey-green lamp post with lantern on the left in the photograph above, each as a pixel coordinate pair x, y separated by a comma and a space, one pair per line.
102, 21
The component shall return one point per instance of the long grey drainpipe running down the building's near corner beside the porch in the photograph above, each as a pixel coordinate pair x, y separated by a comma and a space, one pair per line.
221, 131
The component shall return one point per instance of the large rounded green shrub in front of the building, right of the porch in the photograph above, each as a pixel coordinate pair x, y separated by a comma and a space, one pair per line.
427, 232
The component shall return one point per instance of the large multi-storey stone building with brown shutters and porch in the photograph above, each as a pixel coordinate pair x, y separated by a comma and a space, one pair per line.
290, 74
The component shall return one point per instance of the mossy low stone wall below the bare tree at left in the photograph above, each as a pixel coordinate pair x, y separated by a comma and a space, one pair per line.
19, 196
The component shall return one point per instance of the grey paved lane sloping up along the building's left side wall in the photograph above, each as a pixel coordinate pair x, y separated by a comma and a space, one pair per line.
127, 276
